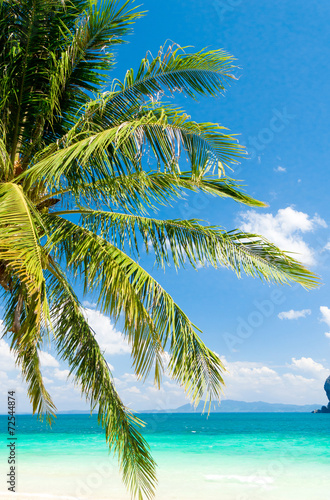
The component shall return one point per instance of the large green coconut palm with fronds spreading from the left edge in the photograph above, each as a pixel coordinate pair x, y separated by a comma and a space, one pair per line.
84, 161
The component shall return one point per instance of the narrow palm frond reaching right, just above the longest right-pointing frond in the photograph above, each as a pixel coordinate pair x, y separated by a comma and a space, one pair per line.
140, 191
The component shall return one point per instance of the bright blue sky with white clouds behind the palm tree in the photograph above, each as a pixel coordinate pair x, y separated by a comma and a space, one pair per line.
274, 341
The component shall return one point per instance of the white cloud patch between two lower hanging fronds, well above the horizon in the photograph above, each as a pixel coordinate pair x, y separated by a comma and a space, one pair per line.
110, 340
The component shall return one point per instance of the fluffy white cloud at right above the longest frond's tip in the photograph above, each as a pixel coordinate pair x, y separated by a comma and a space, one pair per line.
285, 230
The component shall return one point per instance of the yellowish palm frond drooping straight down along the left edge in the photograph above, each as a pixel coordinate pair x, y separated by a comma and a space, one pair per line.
27, 309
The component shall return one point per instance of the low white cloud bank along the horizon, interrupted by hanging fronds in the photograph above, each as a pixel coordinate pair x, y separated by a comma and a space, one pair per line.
299, 382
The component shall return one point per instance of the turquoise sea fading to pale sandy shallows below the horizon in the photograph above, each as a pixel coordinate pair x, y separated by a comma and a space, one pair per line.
225, 456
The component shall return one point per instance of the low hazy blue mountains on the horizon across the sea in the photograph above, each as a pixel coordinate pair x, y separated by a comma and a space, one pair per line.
230, 406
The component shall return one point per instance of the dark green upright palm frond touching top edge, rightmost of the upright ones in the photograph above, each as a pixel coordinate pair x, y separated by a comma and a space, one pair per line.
82, 66
